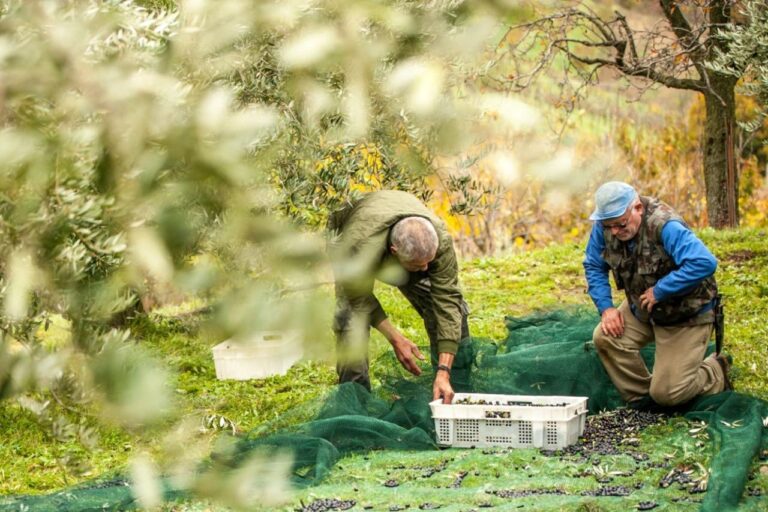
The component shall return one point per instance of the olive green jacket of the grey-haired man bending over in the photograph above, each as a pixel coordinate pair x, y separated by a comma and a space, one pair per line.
359, 251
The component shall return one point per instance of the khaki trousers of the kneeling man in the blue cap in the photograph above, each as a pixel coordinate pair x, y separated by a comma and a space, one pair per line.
680, 371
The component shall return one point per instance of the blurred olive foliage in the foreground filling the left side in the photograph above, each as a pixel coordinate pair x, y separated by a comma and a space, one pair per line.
139, 151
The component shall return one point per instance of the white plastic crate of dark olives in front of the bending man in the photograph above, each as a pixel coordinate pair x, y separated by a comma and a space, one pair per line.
545, 423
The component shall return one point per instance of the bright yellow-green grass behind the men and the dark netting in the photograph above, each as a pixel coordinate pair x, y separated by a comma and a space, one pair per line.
37, 458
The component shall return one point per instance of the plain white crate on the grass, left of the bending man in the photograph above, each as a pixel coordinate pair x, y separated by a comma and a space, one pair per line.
262, 355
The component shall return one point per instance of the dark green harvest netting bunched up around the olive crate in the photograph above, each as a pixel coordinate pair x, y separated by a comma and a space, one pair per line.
544, 354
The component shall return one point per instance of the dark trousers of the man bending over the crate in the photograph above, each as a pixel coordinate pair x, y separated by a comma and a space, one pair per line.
418, 292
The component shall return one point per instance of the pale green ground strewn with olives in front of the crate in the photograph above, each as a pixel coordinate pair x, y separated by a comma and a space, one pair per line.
668, 446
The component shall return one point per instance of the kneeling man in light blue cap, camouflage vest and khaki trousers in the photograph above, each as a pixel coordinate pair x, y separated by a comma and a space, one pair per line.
667, 275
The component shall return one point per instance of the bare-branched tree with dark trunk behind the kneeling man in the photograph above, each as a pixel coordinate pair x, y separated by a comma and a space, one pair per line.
675, 51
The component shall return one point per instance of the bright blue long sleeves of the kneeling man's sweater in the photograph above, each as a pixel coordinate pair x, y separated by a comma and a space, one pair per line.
694, 260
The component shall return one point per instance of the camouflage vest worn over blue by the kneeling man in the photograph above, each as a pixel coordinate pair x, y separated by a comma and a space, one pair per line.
636, 271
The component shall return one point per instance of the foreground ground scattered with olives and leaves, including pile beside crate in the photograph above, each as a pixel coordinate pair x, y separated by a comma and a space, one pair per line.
625, 460
